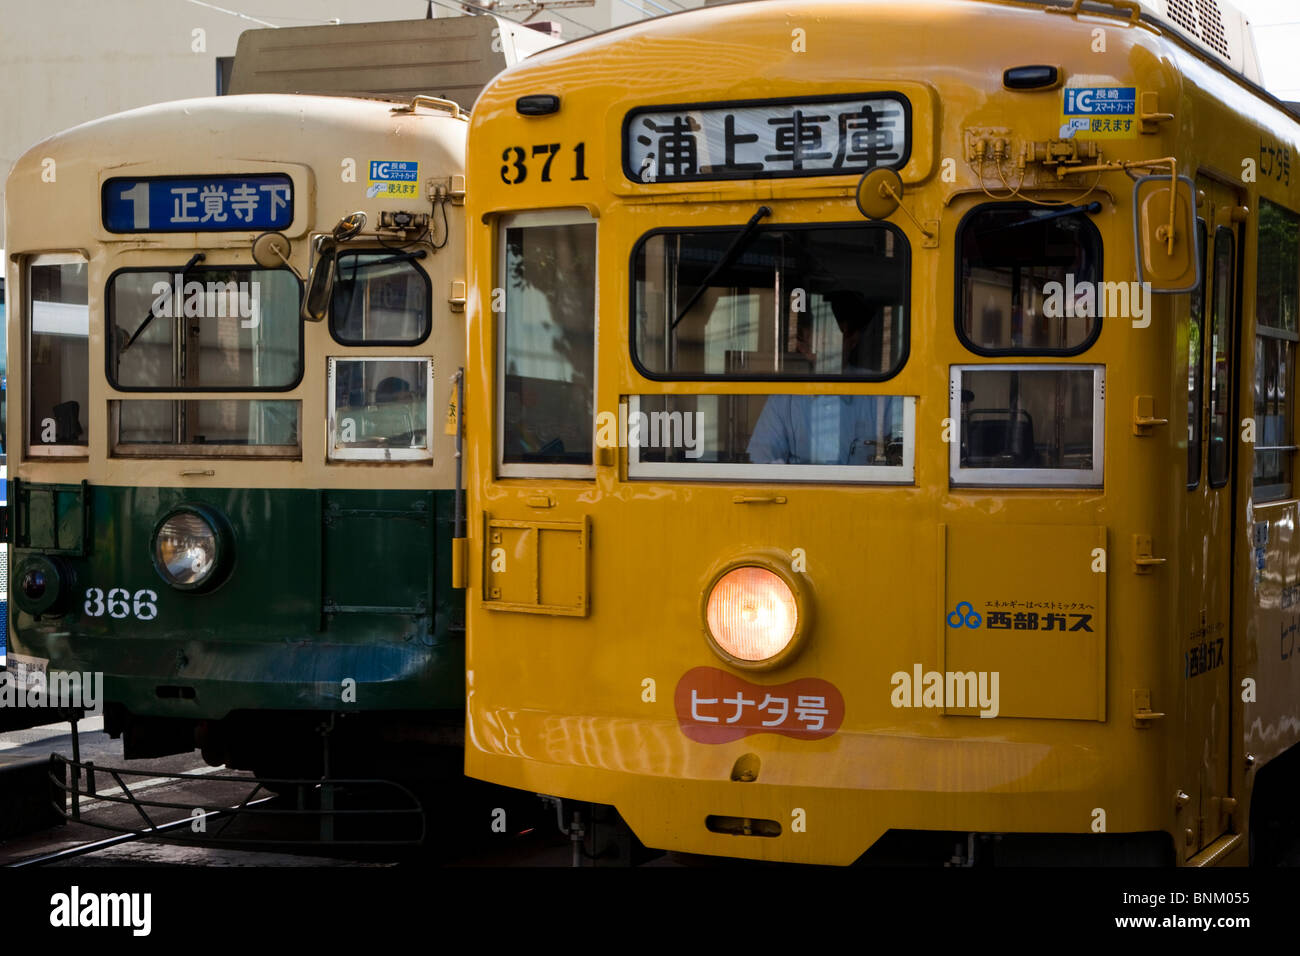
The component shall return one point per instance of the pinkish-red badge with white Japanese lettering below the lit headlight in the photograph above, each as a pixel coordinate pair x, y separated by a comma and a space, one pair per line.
716, 707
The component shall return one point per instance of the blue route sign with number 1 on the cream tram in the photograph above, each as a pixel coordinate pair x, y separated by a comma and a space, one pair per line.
207, 205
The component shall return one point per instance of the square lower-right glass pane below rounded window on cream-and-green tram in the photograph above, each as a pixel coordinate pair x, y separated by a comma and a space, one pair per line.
380, 404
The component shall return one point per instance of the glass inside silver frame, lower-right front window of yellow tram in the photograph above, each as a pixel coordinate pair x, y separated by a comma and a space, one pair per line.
1028, 419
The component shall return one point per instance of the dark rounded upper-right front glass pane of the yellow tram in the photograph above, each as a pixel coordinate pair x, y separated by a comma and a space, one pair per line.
1008, 256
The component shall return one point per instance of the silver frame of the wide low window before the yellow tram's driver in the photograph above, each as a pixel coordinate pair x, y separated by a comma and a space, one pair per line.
904, 474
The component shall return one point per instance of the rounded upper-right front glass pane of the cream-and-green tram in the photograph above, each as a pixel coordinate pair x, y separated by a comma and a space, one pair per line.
380, 299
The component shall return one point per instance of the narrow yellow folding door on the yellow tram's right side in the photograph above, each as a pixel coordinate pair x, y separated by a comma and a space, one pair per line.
1206, 618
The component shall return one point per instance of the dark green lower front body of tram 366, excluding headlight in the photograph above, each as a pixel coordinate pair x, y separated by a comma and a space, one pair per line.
328, 600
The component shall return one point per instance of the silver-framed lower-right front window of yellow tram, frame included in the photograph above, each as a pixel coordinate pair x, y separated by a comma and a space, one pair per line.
1038, 426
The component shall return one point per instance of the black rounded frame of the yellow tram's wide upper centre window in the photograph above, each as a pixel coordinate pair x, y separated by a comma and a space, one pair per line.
904, 354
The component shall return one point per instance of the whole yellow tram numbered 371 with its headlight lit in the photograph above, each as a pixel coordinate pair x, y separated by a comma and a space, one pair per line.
882, 432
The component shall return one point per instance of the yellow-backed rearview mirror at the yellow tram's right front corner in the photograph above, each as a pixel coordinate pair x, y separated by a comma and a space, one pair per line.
1165, 235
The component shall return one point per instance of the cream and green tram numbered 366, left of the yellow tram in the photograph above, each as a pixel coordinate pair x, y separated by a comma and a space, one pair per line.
236, 325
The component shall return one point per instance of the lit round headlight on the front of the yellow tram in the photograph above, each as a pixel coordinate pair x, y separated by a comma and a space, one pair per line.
752, 615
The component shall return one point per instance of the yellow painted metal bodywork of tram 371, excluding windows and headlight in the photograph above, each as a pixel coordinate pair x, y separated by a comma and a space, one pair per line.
583, 707
